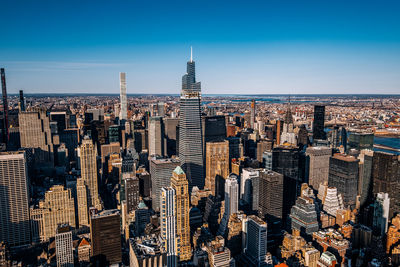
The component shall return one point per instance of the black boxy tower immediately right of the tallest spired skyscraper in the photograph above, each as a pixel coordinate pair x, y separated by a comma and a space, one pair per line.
214, 128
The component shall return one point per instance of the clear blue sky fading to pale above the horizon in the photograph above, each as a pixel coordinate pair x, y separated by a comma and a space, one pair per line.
241, 47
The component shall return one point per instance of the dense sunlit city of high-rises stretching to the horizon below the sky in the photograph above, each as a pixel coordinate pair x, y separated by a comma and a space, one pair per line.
187, 178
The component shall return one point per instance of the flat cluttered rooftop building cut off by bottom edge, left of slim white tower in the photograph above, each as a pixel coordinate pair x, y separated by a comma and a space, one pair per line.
141, 256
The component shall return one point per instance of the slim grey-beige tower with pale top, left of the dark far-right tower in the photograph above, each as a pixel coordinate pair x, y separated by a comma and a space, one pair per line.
365, 181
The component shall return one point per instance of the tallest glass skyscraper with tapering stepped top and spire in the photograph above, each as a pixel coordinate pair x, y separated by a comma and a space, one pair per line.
190, 132
